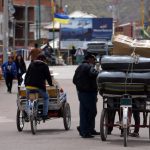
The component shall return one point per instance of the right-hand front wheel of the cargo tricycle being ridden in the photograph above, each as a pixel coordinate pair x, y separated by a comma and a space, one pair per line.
67, 116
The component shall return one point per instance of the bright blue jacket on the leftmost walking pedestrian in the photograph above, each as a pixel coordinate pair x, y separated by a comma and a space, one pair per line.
13, 70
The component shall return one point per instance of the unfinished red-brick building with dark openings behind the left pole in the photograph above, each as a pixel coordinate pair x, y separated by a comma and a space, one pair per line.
26, 24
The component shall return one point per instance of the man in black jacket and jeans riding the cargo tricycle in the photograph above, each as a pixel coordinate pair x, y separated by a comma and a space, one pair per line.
36, 76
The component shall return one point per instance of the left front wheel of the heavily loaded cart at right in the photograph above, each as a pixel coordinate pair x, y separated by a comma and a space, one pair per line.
104, 124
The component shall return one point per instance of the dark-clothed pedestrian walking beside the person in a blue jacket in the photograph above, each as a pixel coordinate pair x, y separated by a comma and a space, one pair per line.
21, 67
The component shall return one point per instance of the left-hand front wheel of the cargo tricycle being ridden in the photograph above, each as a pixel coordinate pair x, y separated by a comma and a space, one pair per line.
20, 120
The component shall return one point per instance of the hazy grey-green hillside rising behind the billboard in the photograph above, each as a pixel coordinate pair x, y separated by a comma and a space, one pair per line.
126, 10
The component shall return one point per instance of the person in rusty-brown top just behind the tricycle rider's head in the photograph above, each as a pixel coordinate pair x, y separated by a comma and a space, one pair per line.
34, 52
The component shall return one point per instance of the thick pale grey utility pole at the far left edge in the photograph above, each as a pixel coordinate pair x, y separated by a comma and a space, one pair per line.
5, 30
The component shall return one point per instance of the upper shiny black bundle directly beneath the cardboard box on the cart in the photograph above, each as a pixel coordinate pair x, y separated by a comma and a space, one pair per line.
125, 63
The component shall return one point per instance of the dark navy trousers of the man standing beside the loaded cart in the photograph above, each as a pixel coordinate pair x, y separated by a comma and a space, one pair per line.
88, 111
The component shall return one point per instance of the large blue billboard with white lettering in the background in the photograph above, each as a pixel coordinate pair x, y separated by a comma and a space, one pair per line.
81, 31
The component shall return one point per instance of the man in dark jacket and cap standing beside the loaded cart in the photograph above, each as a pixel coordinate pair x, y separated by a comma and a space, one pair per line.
85, 81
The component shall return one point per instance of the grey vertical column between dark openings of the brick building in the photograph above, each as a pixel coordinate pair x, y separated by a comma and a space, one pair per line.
26, 24
